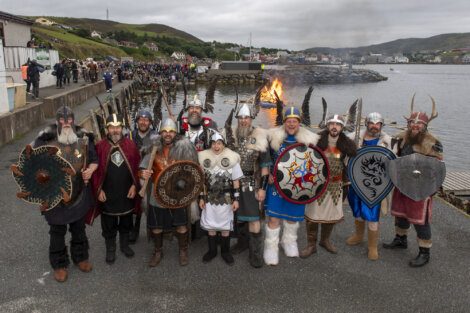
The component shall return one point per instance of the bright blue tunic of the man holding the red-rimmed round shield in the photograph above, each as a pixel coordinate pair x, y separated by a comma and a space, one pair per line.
275, 205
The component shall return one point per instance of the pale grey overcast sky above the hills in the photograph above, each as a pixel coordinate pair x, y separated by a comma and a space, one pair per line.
289, 24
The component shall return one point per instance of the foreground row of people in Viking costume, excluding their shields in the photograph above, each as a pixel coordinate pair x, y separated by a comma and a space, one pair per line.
237, 190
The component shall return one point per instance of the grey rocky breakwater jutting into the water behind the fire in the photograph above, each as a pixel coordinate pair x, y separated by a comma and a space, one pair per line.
307, 75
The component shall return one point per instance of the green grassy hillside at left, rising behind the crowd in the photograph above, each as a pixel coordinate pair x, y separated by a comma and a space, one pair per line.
72, 38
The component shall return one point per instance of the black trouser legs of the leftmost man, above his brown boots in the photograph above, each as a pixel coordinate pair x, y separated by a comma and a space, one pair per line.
58, 255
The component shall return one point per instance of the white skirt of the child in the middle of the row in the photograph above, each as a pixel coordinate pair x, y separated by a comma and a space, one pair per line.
217, 217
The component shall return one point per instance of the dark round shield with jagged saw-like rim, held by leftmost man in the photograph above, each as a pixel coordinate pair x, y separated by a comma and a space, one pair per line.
43, 176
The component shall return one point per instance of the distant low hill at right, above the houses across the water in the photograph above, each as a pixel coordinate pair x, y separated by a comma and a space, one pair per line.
444, 42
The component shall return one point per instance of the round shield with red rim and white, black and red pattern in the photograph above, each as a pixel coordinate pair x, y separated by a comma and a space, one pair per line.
301, 173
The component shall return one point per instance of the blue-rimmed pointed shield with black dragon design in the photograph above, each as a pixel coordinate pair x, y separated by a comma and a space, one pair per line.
368, 173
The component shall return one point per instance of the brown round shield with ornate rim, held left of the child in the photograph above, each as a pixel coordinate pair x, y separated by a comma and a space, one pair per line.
179, 184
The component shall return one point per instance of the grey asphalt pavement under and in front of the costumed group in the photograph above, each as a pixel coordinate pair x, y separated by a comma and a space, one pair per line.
346, 282
